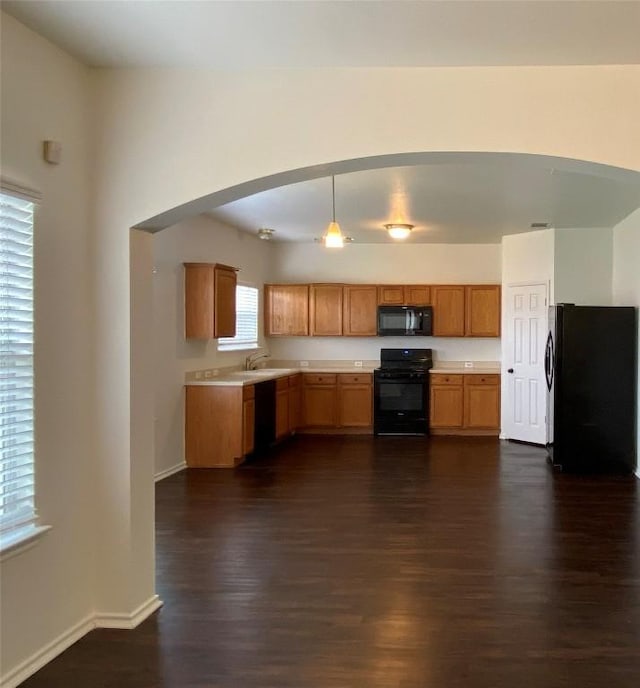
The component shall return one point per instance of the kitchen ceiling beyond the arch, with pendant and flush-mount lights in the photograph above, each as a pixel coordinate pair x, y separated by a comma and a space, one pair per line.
474, 200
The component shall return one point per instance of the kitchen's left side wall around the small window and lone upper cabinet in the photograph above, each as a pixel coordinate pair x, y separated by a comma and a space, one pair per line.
198, 240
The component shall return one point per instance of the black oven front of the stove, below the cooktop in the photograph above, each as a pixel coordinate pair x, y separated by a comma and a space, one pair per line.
400, 403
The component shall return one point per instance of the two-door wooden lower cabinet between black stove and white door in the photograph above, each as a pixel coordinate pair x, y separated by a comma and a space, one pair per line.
464, 404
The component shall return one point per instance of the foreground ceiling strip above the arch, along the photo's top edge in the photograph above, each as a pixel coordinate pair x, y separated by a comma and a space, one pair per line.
327, 33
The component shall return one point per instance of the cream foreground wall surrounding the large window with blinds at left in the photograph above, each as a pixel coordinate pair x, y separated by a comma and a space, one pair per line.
48, 591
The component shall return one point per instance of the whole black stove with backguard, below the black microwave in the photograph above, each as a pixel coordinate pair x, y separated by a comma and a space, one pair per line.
401, 392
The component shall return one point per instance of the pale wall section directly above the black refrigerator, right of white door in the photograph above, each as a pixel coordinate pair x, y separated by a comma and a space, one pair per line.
583, 266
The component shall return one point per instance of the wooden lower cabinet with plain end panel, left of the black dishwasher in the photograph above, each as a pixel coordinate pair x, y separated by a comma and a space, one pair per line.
218, 425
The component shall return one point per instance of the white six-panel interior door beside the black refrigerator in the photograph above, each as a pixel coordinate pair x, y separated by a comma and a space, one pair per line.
523, 363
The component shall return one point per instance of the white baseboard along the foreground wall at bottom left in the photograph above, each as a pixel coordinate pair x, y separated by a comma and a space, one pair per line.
65, 640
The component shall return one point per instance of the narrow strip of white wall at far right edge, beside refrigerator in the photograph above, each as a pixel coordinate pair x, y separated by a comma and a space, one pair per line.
626, 273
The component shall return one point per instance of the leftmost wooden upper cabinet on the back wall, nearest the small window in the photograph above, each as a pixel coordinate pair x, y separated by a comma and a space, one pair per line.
286, 310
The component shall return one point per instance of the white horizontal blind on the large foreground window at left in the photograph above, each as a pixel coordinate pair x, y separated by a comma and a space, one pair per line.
17, 508
